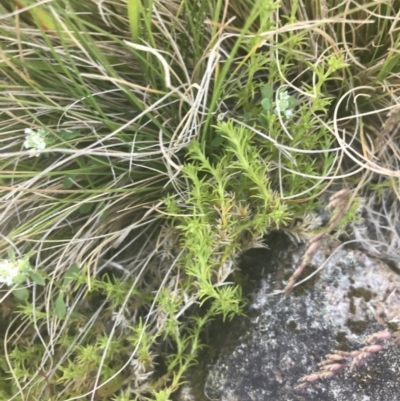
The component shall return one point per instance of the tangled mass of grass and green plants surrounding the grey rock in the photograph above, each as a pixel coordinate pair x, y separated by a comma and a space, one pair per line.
144, 146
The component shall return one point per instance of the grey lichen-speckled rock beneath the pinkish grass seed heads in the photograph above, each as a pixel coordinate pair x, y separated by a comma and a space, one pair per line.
350, 297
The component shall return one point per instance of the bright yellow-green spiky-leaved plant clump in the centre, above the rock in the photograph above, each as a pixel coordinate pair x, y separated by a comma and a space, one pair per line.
229, 207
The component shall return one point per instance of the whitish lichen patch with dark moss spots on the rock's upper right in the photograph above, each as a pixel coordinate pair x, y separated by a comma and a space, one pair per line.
359, 288
